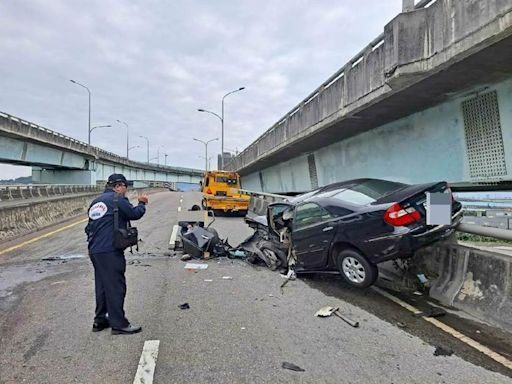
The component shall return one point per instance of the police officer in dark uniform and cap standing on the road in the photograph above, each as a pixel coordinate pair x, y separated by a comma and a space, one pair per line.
109, 263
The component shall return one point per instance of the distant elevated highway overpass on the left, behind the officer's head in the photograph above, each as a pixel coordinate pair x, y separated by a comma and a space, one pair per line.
59, 159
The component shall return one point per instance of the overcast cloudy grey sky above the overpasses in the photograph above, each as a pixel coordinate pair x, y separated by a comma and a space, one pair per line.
152, 63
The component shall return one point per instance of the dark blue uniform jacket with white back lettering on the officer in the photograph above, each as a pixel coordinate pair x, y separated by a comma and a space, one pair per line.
100, 229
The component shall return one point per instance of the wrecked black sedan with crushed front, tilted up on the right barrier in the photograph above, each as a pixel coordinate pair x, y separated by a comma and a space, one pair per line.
348, 227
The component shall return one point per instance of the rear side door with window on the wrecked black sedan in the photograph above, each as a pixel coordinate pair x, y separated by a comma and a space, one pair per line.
312, 235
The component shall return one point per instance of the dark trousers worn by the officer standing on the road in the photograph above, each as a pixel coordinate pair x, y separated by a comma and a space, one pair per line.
110, 287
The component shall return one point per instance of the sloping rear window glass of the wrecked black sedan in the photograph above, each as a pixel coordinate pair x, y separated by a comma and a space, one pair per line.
365, 192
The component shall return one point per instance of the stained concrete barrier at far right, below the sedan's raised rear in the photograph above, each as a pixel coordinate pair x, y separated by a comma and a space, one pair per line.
476, 281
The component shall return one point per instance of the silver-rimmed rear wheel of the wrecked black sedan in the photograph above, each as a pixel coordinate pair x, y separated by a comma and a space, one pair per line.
356, 269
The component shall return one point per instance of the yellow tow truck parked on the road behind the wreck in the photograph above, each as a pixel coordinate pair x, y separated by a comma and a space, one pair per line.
221, 192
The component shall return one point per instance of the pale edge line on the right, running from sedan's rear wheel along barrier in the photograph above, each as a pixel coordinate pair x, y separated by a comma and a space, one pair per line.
451, 331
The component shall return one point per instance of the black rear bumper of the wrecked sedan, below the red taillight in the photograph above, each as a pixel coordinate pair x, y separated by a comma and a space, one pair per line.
404, 243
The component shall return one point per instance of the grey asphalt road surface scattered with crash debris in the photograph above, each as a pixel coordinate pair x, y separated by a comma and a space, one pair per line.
237, 330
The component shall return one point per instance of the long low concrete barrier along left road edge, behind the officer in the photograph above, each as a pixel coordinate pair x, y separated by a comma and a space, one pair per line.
30, 216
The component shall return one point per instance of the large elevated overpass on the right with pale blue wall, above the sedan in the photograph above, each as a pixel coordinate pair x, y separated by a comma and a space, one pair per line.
428, 99
